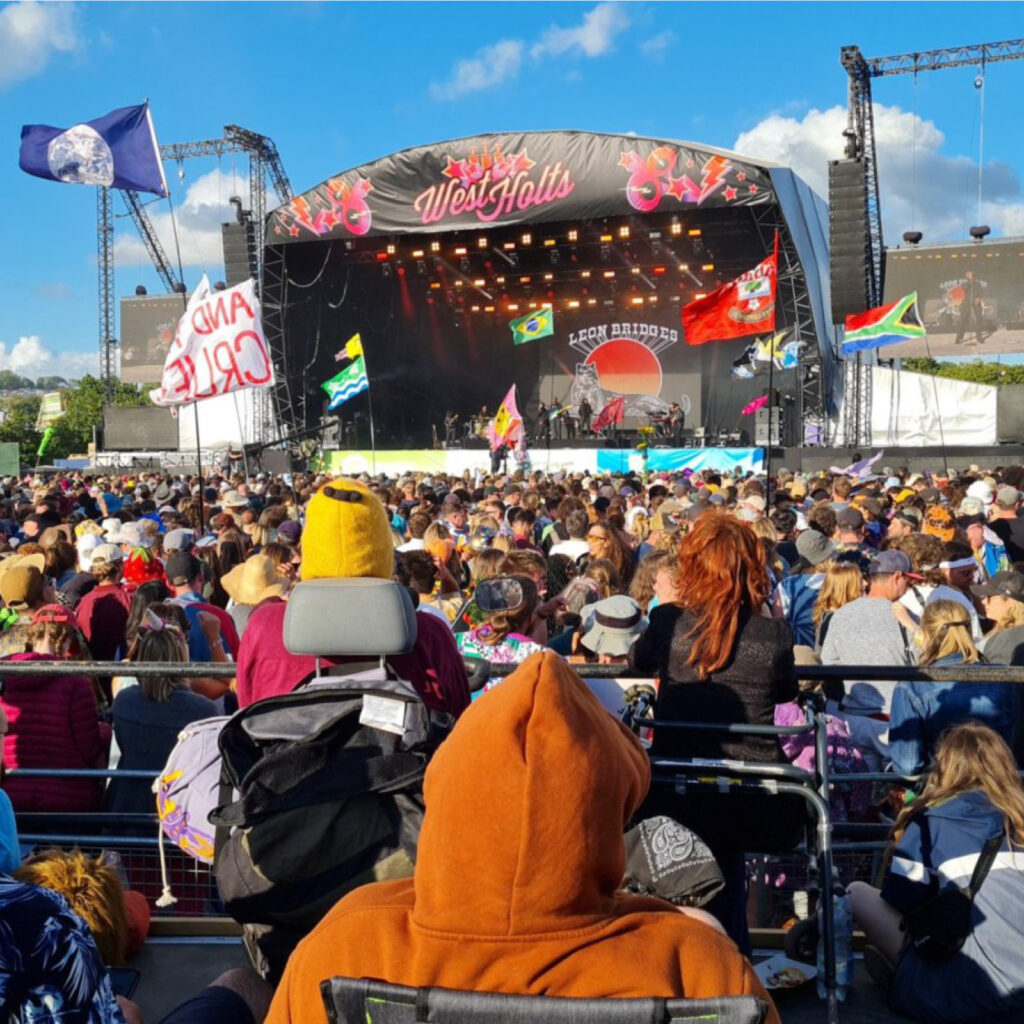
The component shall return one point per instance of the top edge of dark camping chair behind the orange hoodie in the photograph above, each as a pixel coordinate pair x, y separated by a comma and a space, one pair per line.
362, 1001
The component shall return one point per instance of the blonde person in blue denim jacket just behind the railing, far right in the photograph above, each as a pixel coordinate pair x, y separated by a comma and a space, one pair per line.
922, 711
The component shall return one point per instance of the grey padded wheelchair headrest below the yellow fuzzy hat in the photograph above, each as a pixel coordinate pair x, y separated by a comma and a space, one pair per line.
360, 617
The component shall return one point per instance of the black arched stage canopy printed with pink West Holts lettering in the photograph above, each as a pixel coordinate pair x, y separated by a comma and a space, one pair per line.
521, 179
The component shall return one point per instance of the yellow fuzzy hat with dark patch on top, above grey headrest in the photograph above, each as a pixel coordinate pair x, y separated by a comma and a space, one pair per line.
347, 534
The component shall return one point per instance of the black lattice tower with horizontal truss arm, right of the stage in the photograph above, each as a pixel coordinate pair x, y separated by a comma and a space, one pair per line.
860, 136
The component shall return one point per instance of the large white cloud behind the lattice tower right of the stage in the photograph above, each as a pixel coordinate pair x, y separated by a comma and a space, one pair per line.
930, 190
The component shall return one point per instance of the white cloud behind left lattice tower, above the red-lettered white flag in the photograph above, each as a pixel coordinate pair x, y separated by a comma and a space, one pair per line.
200, 215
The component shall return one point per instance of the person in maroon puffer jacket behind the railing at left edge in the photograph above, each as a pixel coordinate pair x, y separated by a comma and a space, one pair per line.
54, 722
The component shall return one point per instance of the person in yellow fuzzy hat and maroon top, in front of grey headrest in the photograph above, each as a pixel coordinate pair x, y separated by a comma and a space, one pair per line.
349, 535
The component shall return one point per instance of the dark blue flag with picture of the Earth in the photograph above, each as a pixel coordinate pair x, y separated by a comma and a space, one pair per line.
118, 150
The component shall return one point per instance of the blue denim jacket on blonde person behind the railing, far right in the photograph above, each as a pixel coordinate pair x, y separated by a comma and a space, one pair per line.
922, 711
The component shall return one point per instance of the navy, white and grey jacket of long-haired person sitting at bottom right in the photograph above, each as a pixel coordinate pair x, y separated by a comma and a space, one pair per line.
986, 980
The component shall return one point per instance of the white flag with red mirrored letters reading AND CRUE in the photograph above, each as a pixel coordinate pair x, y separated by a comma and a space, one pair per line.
219, 348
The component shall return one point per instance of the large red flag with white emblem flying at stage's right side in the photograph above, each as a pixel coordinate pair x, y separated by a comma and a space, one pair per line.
743, 308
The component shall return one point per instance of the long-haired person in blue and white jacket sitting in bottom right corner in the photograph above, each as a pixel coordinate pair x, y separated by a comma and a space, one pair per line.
972, 794
